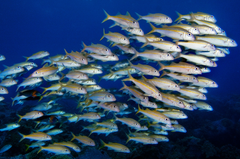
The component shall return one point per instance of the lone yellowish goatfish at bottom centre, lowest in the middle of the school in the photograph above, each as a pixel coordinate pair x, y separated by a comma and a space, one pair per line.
115, 147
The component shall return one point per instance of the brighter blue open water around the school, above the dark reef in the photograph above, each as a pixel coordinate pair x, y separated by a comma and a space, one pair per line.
27, 27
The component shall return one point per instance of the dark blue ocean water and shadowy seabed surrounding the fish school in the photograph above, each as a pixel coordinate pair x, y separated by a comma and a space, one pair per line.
27, 27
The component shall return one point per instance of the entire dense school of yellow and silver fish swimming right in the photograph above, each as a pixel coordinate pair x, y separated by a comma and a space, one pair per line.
162, 72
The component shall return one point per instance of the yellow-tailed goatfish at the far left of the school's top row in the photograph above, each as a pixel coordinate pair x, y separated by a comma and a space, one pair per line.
122, 20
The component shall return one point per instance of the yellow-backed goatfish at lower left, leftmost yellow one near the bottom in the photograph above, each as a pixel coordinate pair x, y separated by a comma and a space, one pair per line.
39, 136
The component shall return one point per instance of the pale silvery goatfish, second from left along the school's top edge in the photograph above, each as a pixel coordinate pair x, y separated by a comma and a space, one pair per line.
157, 18
